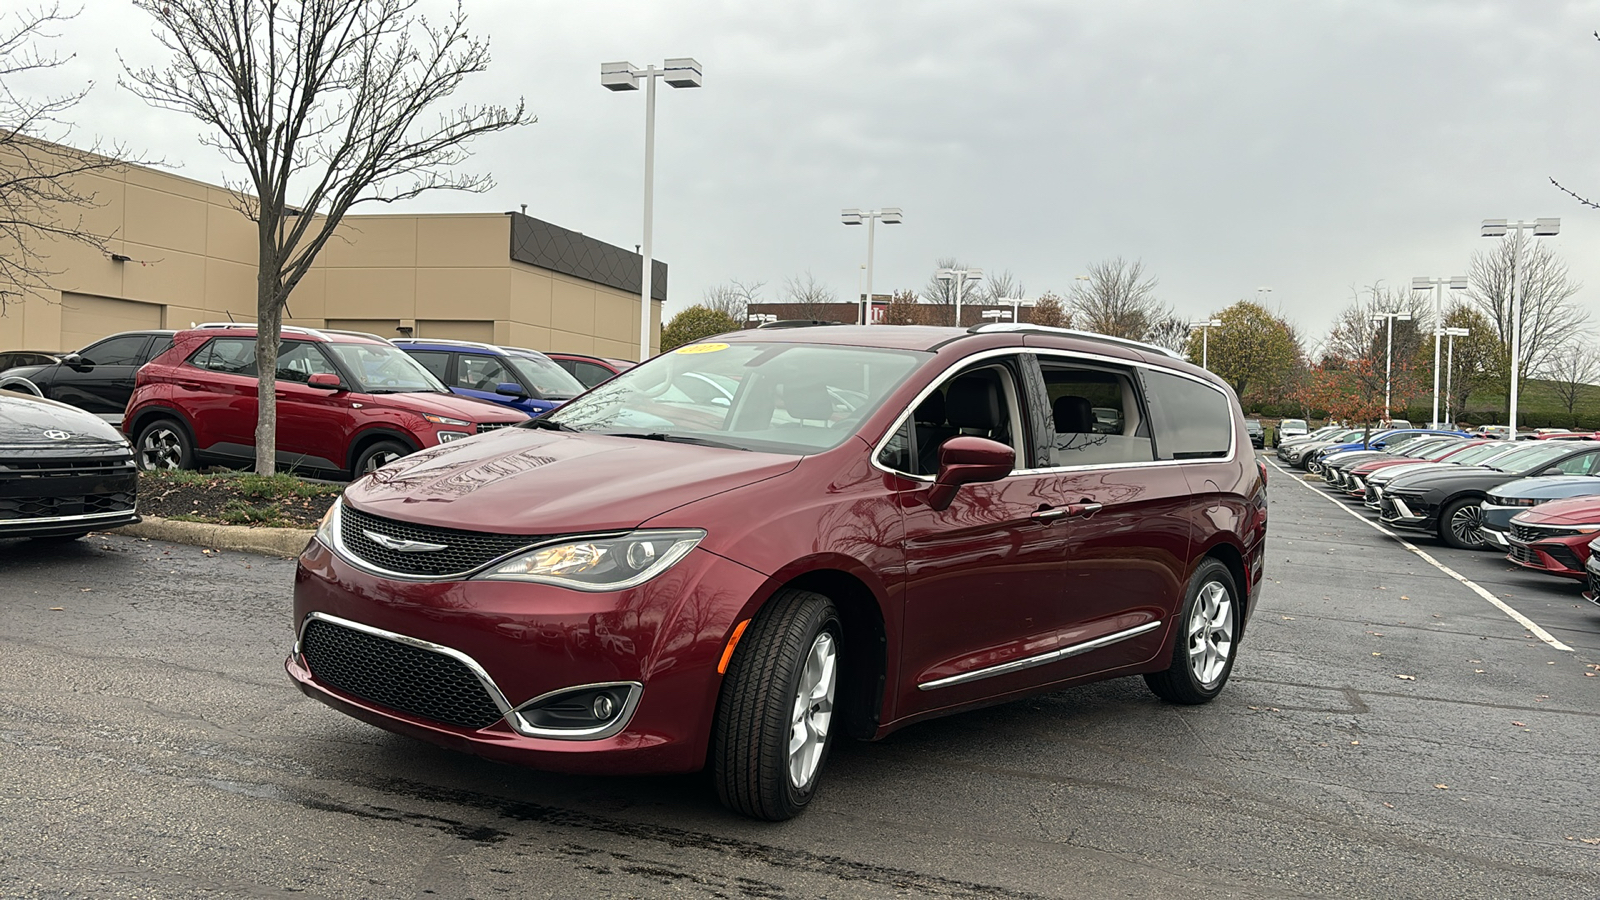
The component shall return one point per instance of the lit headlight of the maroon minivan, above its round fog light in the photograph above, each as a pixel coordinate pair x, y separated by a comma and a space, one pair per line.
602, 565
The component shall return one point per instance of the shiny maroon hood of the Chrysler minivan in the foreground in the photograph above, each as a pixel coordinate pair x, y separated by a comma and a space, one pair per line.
527, 481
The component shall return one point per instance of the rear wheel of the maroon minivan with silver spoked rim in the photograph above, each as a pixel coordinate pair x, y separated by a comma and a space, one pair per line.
1207, 637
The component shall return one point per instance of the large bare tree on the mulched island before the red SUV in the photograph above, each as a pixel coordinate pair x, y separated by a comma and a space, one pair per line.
334, 100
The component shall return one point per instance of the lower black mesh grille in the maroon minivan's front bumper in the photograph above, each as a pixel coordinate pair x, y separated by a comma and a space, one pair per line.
399, 677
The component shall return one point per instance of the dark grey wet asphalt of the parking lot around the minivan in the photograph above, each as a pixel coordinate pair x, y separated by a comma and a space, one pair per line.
1388, 734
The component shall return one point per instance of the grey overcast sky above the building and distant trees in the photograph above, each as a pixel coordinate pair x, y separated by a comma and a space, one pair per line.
1311, 147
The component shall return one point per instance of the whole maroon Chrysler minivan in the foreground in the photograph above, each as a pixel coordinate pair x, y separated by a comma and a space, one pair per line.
863, 528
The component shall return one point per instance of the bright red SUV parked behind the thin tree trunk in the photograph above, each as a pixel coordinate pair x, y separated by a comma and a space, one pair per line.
348, 404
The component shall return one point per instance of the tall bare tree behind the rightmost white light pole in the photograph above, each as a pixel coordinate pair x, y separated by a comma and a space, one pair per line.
1550, 318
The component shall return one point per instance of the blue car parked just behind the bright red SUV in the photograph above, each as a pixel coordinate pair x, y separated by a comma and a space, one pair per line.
513, 377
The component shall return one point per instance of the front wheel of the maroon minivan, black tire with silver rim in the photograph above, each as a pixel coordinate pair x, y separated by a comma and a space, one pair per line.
777, 709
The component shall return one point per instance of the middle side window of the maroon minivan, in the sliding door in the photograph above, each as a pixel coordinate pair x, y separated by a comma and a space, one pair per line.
1097, 417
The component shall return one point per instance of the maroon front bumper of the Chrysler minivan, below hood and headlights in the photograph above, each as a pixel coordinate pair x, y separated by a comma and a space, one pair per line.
665, 637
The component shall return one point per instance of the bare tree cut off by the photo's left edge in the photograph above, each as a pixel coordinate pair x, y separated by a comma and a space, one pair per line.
44, 183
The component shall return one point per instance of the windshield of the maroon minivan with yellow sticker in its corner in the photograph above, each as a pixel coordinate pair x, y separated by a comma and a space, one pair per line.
759, 396
